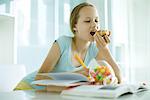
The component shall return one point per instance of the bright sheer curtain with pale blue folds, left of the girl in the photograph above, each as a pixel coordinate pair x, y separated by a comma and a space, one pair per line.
38, 24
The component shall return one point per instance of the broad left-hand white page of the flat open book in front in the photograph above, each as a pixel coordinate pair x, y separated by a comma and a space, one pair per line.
92, 91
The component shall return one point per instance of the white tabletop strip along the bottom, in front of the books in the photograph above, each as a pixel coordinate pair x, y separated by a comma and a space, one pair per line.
32, 95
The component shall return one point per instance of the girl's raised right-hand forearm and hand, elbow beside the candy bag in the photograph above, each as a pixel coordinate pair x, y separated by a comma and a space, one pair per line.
104, 54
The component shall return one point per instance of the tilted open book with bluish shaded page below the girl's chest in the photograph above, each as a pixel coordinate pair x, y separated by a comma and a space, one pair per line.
62, 80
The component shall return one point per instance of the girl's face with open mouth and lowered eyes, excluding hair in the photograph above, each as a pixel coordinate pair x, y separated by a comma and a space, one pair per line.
87, 22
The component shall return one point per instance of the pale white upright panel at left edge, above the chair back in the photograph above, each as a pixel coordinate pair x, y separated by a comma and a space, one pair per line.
6, 39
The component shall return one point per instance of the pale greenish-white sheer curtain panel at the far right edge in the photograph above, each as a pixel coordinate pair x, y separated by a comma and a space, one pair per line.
139, 39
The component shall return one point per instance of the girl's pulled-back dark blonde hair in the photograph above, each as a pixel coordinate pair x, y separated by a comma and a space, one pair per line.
75, 14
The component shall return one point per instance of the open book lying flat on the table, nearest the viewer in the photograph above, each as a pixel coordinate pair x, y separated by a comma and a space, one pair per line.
108, 91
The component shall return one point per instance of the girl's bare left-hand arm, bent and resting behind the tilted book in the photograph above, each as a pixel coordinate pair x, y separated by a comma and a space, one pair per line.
50, 61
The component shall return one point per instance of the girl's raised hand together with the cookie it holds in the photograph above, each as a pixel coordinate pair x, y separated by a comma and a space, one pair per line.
102, 38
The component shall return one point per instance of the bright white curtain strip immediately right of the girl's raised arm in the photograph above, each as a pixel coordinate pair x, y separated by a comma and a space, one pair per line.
119, 17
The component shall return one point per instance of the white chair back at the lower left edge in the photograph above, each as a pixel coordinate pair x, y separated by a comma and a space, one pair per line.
10, 76
